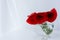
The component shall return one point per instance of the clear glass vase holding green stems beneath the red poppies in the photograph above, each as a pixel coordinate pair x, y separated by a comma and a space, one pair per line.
47, 29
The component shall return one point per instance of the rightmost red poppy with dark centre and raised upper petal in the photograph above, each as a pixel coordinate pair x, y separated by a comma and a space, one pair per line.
52, 15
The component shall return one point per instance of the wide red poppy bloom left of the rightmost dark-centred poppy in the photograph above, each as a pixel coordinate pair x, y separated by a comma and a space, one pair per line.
37, 18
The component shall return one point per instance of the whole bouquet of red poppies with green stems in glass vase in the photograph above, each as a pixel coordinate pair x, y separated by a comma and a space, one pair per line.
42, 19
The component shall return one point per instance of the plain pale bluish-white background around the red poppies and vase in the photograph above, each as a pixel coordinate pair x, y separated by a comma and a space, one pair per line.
13, 15
